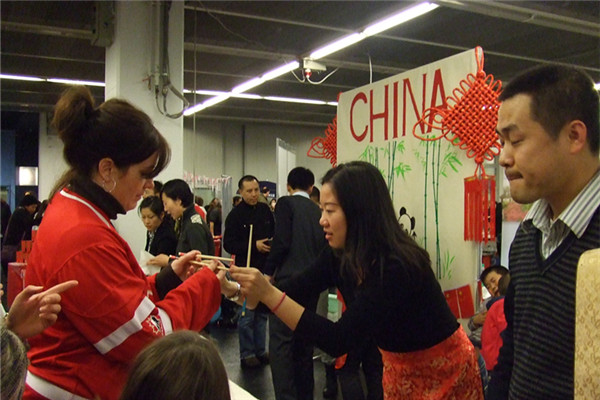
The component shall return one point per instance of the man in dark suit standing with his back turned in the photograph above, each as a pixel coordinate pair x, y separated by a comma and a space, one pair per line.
297, 241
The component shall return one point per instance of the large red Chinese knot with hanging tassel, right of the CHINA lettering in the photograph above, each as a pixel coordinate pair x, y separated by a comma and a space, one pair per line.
468, 120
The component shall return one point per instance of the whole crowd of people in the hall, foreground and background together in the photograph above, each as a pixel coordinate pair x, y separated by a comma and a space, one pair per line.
91, 316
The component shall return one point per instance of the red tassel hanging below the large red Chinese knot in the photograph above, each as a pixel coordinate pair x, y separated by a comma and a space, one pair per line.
480, 208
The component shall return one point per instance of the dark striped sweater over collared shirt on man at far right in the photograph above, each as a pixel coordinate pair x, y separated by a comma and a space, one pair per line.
537, 358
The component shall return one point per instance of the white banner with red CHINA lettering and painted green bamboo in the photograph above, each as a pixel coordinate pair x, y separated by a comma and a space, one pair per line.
425, 178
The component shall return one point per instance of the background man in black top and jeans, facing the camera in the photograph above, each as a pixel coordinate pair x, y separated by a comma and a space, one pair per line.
252, 325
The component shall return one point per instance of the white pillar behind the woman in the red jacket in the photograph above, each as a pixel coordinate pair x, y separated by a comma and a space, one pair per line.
129, 64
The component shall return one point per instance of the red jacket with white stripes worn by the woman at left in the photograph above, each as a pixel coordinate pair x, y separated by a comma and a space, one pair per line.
111, 315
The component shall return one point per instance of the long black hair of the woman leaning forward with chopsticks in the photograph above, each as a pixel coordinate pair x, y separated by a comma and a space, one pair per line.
374, 235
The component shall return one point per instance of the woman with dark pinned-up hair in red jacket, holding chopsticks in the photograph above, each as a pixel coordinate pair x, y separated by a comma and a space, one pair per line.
113, 152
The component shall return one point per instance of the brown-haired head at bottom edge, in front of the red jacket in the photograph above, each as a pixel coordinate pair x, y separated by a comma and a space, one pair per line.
182, 365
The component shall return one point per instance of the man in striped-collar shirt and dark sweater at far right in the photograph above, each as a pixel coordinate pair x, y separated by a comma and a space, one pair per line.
548, 125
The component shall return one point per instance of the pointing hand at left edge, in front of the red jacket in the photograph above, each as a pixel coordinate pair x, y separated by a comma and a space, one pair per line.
32, 311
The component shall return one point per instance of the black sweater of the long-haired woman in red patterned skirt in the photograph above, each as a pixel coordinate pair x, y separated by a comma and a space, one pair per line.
404, 310
